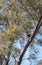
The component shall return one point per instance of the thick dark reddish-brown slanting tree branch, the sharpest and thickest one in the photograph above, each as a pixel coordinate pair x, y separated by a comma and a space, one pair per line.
28, 43
